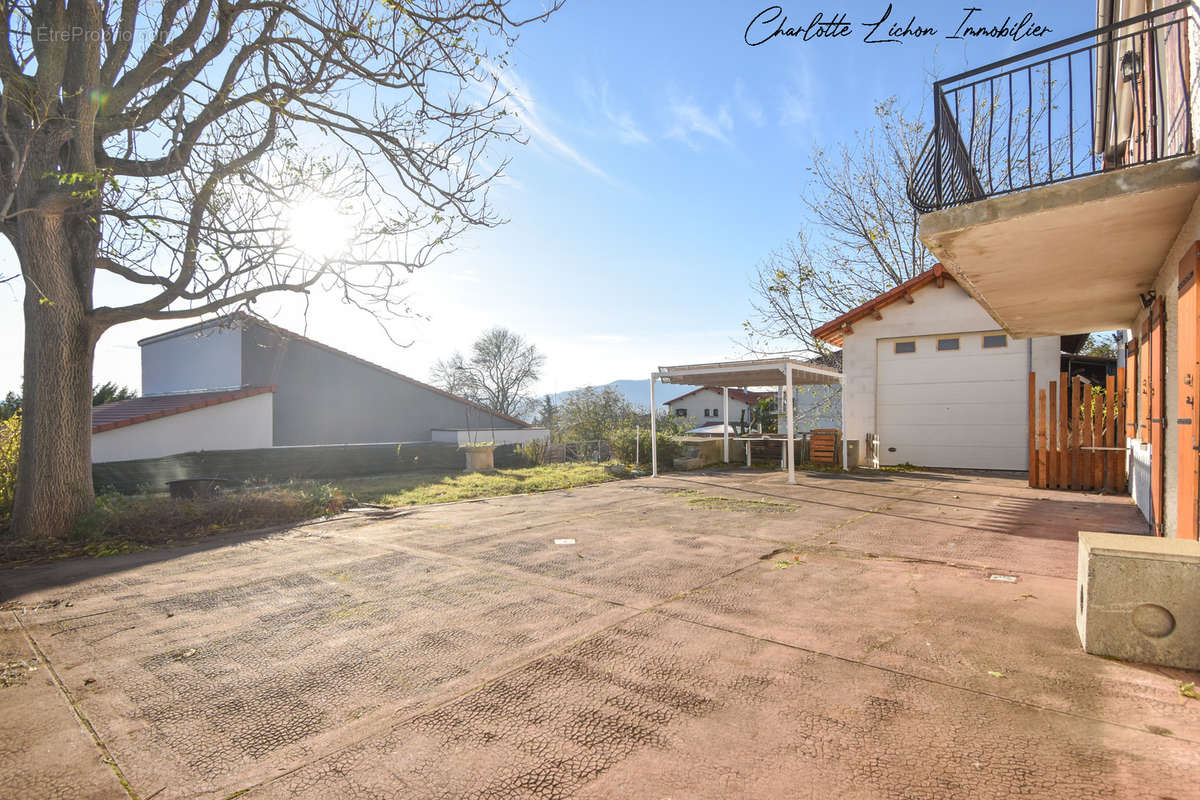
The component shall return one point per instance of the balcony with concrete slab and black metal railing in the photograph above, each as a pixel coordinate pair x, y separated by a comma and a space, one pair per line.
1055, 182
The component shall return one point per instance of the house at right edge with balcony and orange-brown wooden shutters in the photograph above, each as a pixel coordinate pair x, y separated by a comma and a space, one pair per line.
1097, 226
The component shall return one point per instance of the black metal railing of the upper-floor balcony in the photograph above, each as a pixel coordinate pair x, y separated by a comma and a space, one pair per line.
1117, 97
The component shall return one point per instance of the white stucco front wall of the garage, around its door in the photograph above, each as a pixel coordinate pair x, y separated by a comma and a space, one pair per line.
933, 312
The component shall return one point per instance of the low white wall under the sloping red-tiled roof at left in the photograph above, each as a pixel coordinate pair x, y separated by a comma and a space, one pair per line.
237, 425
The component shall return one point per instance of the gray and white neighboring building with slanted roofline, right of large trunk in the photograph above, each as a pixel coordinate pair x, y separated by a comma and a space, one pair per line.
241, 383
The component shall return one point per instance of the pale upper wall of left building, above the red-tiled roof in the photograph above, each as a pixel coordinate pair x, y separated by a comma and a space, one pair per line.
208, 360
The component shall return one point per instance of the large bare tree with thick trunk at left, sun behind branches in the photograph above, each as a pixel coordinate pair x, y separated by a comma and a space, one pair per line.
171, 147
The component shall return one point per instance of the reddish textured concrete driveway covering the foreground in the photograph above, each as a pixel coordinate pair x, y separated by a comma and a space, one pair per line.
706, 636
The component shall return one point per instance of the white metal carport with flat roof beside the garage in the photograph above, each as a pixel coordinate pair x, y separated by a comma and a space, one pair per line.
740, 375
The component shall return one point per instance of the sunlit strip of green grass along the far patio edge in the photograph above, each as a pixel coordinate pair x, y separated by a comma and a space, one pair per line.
422, 489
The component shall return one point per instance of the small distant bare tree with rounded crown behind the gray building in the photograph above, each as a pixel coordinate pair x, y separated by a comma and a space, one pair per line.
500, 374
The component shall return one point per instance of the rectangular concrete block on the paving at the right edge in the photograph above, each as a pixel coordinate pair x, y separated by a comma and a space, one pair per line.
1139, 599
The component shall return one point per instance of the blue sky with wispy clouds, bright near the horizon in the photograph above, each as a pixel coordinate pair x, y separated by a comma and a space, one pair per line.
665, 160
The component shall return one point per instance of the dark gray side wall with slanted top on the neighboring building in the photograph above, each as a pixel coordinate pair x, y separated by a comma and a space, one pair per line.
326, 398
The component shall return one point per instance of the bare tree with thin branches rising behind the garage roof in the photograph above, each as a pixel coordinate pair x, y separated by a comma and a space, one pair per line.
860, 239
